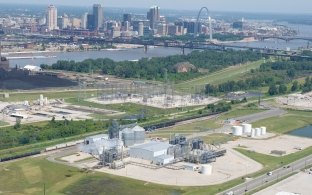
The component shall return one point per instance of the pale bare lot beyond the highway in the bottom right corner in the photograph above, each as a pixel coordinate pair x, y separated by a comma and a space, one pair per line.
296, 184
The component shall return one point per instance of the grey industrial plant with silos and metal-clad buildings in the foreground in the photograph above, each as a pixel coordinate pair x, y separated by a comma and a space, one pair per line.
126, 144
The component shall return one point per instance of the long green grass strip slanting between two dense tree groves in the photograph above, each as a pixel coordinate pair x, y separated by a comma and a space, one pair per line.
232, 73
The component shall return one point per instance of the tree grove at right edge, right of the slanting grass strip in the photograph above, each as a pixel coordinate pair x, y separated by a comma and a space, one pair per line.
275, 75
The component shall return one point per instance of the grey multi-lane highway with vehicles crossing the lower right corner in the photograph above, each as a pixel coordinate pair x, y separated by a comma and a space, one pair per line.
276, 176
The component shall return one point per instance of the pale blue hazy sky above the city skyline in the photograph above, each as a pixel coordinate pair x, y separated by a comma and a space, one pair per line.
273, 6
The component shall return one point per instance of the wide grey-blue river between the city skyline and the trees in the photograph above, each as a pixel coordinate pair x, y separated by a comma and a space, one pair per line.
138, 53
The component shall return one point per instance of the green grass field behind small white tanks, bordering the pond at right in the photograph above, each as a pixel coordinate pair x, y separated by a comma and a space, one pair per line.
288, 122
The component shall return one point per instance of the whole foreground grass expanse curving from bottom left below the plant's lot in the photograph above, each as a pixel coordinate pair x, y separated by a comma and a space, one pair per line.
28, 176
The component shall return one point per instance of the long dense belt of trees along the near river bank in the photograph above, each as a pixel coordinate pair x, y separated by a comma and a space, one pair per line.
158, 68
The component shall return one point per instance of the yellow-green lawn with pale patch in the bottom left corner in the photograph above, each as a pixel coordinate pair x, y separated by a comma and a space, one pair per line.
30, 175
